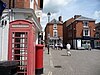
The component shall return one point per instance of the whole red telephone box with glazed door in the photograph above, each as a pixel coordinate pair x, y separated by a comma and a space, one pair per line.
22, 46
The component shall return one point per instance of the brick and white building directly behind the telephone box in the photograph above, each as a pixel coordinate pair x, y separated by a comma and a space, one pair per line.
19, 10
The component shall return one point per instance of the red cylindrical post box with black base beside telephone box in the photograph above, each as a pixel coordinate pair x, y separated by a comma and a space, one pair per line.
39, 59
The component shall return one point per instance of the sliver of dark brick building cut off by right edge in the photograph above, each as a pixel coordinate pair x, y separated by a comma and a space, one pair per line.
97, 35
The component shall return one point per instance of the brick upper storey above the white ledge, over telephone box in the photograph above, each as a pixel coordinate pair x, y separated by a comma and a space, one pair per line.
34, 4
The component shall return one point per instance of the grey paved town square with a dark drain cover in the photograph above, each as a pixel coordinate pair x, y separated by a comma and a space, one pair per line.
81, 62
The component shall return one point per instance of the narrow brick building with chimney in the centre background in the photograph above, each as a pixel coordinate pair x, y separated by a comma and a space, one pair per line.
54, 32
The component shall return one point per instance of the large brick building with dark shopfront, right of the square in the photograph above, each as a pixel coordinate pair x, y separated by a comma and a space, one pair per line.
79, 31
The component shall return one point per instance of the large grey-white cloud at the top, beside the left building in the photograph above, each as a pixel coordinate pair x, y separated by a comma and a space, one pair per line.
54, 6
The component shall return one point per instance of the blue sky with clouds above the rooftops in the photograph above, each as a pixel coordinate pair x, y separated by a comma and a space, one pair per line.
68, 8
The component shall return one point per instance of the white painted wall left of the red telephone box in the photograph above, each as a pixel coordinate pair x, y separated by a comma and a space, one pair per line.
4, 40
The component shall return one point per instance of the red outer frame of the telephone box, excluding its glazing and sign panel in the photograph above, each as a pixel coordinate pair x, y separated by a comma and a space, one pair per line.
31, 43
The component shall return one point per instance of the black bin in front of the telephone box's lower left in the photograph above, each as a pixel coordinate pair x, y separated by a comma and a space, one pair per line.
8, 67
